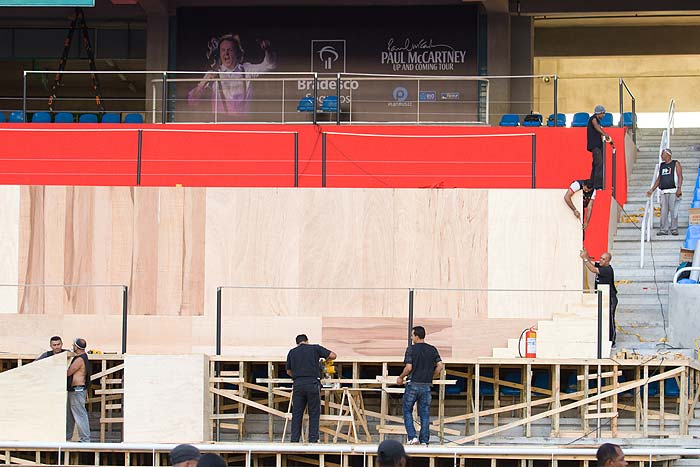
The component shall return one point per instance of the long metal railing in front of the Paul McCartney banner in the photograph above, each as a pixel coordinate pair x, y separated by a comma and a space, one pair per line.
167, 97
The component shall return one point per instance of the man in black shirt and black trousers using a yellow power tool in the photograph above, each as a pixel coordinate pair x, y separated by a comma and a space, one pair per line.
303, 367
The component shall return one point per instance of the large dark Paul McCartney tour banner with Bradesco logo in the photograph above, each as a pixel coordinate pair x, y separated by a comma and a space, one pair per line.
235, 48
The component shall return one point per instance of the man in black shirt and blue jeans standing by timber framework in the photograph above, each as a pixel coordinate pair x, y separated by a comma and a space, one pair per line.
423, 363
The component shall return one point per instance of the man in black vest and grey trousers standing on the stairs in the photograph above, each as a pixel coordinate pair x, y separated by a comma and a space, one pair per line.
669, 180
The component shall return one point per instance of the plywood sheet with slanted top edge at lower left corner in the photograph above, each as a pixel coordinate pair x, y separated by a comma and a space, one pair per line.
33, 404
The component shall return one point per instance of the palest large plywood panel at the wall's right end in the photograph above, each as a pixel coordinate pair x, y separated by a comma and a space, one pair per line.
534, 243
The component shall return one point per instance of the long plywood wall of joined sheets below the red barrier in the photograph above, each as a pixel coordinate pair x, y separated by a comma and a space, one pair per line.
334, 264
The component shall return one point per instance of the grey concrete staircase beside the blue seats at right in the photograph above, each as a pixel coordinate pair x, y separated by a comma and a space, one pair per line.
644, 299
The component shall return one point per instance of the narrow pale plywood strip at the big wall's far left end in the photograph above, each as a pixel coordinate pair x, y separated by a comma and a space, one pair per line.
9, 247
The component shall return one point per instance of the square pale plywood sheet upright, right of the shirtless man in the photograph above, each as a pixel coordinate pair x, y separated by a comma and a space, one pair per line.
165, 399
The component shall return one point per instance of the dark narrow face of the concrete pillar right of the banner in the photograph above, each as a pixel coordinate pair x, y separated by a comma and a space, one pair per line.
521, 63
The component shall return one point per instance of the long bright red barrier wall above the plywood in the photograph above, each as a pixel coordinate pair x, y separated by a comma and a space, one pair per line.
263, 156
